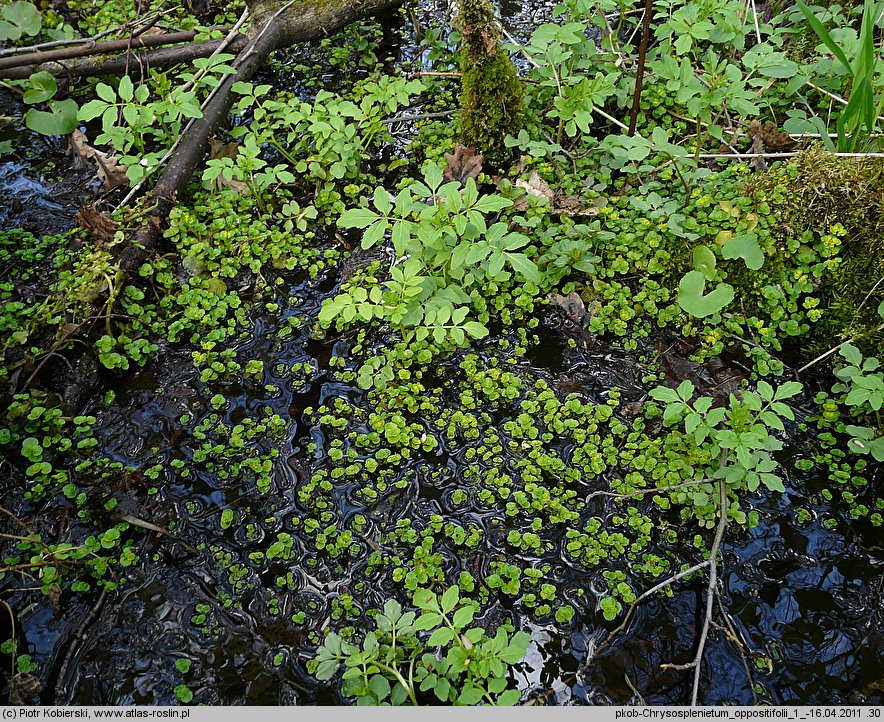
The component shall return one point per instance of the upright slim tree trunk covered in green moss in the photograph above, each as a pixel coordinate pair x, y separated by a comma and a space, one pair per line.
491, 98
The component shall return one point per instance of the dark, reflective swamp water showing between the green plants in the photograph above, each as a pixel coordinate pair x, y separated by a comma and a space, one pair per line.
805, 596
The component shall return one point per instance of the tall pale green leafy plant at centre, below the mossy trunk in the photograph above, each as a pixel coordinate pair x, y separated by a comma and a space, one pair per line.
450, 254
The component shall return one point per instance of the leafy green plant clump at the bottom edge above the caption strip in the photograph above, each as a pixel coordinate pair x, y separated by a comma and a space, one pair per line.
459, 663
